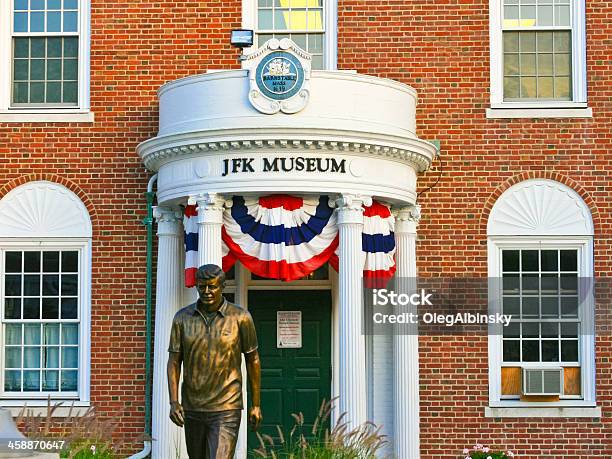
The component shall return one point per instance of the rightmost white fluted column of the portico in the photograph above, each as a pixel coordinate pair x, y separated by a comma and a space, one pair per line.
406, 346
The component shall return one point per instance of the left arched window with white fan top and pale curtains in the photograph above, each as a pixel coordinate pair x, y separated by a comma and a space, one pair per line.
45, 270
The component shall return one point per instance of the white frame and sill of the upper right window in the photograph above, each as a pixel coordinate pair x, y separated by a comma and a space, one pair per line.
577, 107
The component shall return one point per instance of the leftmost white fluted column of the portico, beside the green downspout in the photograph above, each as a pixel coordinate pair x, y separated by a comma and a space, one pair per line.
167, 437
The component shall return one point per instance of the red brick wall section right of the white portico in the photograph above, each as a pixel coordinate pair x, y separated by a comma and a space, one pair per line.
441, 48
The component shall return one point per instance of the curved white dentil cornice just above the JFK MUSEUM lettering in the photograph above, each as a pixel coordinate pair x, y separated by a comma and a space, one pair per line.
159, 150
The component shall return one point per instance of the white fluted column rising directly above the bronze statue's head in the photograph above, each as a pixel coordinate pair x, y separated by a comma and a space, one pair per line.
210, 221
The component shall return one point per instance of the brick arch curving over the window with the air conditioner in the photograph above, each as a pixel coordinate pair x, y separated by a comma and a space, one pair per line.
531, 175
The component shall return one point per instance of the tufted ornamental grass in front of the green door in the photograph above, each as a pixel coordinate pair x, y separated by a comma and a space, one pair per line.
341, 442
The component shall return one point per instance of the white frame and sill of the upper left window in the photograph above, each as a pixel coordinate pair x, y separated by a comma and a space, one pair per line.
80, 113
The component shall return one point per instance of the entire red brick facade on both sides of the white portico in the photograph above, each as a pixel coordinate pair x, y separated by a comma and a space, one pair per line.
438, 47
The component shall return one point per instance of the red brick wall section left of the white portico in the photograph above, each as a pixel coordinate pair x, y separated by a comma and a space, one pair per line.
135, 48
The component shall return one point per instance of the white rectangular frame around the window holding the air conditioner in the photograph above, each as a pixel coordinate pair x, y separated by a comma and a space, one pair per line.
586, 353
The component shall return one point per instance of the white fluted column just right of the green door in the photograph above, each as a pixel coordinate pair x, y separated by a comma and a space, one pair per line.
353, 395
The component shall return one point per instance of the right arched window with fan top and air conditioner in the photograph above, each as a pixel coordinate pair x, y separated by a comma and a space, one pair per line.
540, 248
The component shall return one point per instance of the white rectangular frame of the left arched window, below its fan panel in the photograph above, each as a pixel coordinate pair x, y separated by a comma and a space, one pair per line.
39, 399
